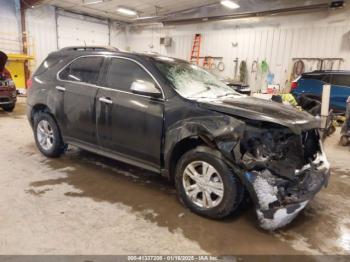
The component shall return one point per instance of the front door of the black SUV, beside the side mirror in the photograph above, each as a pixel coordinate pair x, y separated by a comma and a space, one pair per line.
128, 124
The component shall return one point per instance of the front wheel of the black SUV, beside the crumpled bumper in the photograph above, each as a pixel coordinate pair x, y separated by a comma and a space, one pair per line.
222, 206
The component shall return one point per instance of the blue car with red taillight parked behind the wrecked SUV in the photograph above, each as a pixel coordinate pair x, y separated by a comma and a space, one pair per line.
311, 85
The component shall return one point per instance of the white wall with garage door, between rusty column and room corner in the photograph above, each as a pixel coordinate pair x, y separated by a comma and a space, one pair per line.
71, 29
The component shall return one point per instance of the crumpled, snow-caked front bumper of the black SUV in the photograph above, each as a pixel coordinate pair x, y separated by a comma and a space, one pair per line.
279, 201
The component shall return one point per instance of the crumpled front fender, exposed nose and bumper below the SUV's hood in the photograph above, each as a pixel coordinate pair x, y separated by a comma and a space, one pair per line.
281, 170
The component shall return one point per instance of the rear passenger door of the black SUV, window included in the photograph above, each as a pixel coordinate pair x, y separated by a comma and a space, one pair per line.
77, 90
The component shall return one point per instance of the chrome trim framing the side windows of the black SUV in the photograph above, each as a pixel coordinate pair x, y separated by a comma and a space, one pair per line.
108, 88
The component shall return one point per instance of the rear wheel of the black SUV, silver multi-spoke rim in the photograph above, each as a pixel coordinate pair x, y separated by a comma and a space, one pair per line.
54, 146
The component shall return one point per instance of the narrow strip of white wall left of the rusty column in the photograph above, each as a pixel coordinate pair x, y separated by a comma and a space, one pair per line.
10, 38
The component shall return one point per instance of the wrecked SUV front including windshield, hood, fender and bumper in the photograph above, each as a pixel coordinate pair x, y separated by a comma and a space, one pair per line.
274, 150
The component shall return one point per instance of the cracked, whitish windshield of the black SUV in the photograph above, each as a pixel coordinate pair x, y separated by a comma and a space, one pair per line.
193, 82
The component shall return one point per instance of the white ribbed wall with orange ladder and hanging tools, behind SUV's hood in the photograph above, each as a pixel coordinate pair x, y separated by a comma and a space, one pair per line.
276, 39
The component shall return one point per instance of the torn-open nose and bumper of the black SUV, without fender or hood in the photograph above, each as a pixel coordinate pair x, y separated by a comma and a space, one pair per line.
284, 171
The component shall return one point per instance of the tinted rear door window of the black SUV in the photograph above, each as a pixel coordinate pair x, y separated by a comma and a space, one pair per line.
84, 69
